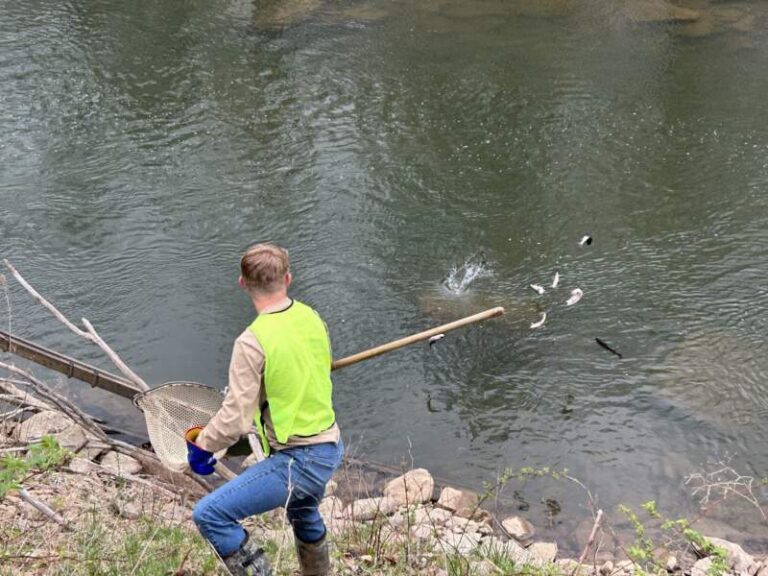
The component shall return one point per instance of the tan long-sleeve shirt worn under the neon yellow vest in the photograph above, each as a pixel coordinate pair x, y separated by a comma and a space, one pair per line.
245, 394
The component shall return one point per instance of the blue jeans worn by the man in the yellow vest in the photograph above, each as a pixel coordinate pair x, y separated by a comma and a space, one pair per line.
297, 476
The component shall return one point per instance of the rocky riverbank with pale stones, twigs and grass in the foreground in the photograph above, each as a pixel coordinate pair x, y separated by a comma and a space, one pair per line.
88, 509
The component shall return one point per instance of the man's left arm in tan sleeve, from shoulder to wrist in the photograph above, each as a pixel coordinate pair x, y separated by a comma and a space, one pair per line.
235, 417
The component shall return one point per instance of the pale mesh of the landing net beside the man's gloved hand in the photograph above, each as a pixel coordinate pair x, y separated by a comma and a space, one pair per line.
172, 409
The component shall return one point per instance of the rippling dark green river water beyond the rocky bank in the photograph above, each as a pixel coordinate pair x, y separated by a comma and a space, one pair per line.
390, 145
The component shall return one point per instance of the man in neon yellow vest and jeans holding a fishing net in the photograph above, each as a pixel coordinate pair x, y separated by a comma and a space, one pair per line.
279, 380
